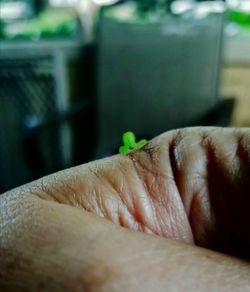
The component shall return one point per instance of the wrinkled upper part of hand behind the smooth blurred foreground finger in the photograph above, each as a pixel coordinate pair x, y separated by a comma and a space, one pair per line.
190, 185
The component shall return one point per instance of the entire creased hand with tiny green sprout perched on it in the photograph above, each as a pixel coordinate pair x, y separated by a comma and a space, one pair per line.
187, 191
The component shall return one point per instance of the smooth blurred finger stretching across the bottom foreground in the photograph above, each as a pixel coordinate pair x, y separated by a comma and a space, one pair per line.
47, 246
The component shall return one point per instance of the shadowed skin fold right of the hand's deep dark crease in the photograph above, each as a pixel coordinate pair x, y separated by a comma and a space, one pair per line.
212, 172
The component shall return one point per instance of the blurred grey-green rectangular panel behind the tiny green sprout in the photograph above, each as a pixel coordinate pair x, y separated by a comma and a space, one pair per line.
155, 77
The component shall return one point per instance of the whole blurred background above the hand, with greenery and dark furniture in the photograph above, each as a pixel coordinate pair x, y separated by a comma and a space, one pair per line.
76, 74
